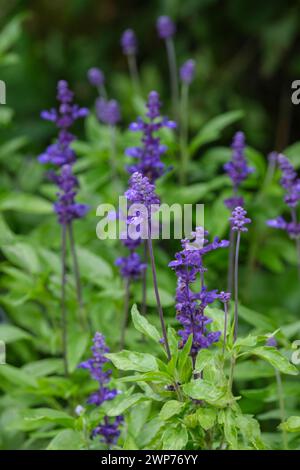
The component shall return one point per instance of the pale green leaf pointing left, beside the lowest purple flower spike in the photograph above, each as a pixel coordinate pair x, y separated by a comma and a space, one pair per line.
127, 360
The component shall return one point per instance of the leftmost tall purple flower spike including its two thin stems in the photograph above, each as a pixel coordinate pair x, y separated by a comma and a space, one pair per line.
62, 157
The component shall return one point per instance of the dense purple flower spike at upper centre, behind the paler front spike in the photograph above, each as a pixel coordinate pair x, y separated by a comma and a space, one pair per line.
150, 152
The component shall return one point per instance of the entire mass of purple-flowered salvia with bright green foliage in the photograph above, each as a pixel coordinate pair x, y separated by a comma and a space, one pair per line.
141, 343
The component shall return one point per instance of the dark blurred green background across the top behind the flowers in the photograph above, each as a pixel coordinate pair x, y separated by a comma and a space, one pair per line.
247, 54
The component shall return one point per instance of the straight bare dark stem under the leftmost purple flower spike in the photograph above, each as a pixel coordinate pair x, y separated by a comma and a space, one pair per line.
63, 299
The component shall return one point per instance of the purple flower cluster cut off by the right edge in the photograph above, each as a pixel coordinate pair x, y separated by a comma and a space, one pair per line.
291, 184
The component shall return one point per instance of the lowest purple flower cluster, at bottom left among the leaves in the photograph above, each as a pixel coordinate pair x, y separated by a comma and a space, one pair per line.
109, 430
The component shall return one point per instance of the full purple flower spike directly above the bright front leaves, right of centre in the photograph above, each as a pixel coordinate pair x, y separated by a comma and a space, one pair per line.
191, 306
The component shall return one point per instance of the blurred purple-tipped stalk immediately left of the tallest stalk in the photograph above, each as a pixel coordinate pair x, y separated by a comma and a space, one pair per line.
129, 46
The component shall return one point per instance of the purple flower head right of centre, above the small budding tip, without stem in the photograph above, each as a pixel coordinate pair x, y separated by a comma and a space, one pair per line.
237, 169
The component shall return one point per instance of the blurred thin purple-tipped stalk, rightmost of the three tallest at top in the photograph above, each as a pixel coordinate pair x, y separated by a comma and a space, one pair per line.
187, 73
